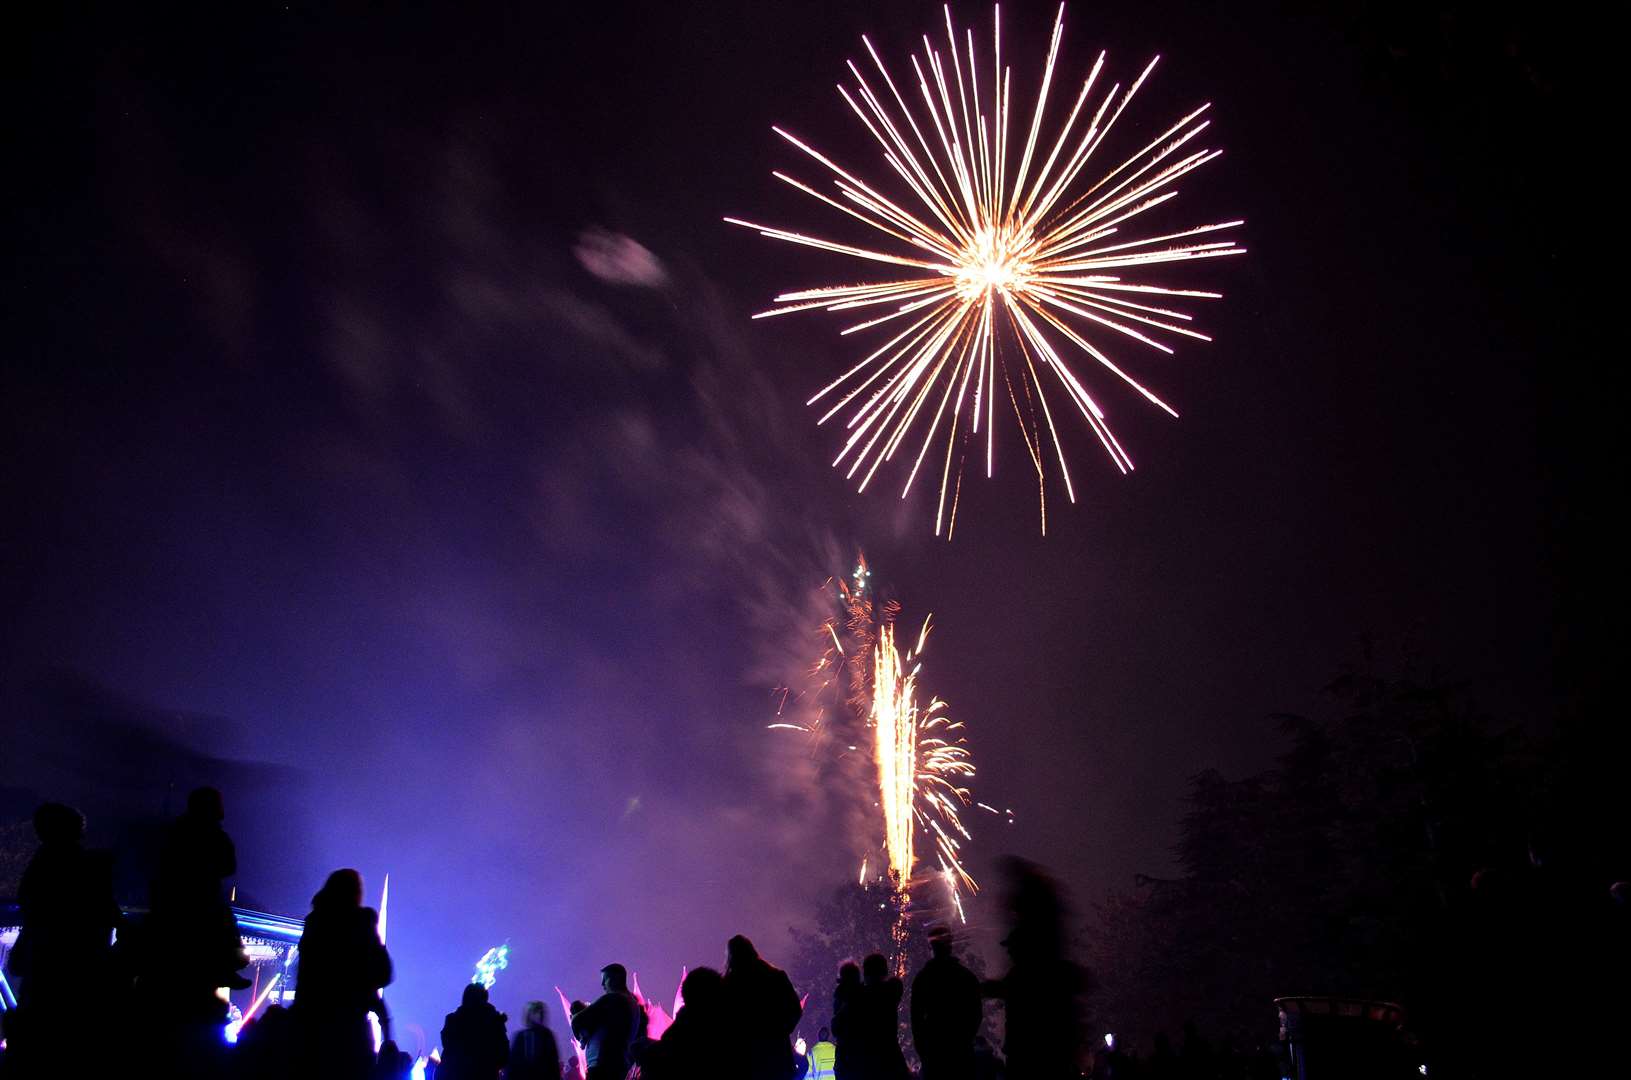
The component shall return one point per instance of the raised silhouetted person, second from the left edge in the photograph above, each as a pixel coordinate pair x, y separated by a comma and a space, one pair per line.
195, 934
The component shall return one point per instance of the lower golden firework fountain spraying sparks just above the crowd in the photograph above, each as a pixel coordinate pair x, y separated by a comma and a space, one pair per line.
867, 689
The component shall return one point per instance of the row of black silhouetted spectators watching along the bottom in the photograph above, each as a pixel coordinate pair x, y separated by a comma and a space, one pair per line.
164, 976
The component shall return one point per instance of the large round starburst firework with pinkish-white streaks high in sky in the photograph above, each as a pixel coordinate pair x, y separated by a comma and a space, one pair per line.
1004, 270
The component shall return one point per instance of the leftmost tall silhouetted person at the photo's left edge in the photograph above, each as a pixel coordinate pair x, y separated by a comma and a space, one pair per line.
63, 950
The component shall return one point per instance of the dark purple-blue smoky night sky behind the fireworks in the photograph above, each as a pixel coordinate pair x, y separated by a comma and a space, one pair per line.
317, 423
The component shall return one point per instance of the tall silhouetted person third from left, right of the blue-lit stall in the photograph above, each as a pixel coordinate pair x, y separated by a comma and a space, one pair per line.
342, 972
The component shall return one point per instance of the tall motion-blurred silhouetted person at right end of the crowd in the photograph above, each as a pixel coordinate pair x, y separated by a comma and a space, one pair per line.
1043, 988
